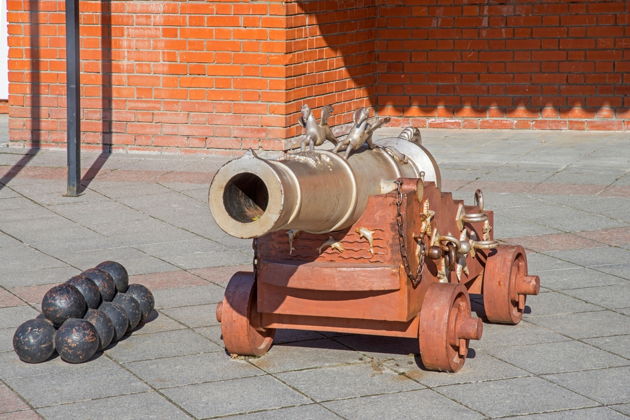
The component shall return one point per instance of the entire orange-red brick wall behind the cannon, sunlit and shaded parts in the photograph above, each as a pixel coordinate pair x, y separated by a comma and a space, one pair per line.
193, 75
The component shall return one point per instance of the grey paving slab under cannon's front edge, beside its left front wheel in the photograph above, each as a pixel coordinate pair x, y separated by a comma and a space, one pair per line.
306, 354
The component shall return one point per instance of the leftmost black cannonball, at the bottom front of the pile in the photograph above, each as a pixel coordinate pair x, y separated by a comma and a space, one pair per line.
34, 341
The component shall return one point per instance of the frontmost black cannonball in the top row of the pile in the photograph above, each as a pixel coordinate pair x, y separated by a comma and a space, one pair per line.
62, 302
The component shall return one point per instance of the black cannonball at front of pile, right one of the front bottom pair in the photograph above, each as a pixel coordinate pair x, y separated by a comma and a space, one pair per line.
76, 341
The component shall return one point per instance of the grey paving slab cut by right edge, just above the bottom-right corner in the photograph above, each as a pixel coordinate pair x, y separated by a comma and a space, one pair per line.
607, 386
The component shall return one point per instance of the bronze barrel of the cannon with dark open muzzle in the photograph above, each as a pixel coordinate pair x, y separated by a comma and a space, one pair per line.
316, 191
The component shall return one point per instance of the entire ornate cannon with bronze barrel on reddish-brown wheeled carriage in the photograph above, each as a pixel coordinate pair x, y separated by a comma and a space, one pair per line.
362, 241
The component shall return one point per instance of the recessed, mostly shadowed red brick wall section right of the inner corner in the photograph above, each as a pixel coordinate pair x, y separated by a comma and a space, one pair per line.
505, 64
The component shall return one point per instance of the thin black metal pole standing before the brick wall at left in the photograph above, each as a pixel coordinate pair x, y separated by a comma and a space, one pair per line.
74, 104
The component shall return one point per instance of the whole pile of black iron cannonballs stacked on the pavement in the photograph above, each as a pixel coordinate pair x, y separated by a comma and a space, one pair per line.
84, 315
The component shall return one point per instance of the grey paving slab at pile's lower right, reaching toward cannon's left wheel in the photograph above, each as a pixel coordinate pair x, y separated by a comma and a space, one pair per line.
162, 344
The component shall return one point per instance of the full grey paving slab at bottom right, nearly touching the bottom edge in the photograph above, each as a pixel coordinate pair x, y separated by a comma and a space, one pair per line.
515, 396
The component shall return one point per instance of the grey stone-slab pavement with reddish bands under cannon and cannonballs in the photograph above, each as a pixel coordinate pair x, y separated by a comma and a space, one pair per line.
565, 196
